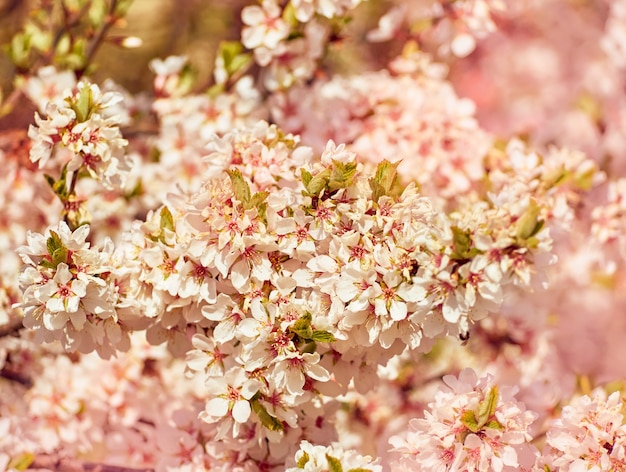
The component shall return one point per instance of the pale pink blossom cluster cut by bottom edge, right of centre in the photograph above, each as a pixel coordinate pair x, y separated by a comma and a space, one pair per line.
471, 425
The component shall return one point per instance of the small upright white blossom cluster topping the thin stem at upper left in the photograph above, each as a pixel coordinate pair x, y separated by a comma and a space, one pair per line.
85, 122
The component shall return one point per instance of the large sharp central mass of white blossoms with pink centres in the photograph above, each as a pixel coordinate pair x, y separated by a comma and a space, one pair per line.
290, 273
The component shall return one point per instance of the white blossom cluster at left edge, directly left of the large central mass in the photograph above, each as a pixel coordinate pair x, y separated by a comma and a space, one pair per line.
68, 295
